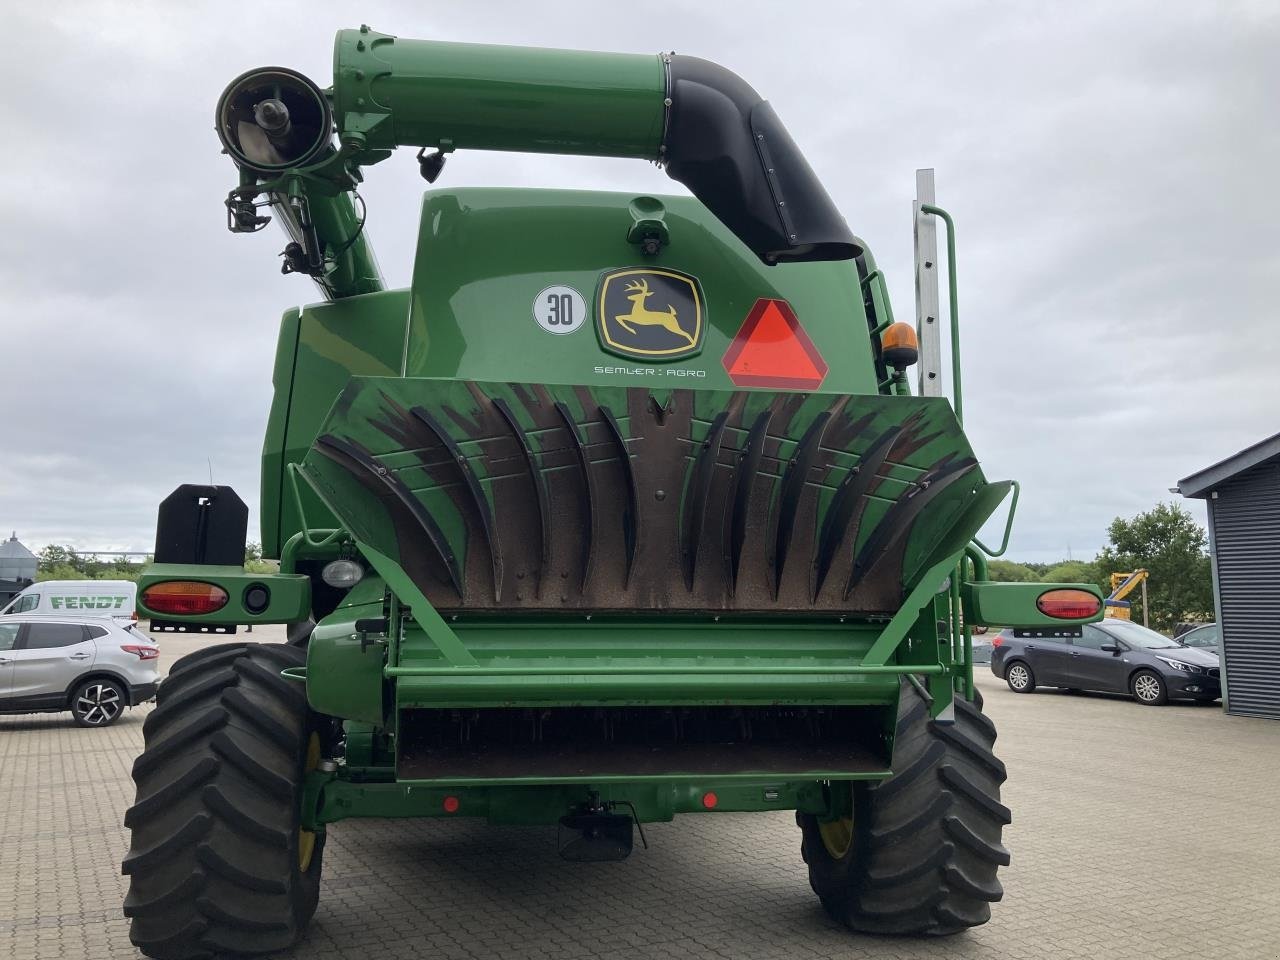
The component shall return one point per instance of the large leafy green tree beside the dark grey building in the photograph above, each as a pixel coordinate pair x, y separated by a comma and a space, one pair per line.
1172, 546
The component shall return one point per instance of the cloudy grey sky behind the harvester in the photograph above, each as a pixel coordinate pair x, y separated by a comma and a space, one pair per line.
1108, 164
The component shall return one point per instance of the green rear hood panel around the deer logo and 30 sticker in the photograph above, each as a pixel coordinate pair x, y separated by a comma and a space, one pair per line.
486, 255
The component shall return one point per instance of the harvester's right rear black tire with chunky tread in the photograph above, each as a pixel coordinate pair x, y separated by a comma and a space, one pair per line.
924, 847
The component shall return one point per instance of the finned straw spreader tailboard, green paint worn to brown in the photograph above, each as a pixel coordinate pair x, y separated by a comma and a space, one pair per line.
496, 497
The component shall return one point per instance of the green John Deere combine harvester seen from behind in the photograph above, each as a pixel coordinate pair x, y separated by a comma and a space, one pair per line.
624, 510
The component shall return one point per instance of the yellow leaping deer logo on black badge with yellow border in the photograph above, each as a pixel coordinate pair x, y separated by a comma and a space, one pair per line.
650, 314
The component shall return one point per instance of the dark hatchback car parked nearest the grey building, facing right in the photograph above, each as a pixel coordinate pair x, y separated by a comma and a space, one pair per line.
1114, 656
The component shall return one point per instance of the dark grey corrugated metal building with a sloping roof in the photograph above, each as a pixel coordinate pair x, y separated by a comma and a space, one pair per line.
1244, 497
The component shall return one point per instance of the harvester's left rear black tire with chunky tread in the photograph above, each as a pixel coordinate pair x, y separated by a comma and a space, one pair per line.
216, 860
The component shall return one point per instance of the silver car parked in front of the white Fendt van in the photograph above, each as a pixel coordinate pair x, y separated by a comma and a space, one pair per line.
90, 666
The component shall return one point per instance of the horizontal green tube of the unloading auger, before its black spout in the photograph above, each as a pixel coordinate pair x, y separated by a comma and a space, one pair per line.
390, 92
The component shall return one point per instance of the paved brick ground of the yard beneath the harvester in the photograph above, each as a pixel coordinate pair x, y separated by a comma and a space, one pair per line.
1137, 833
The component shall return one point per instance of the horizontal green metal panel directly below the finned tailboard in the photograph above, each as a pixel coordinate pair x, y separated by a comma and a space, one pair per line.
627, 662
